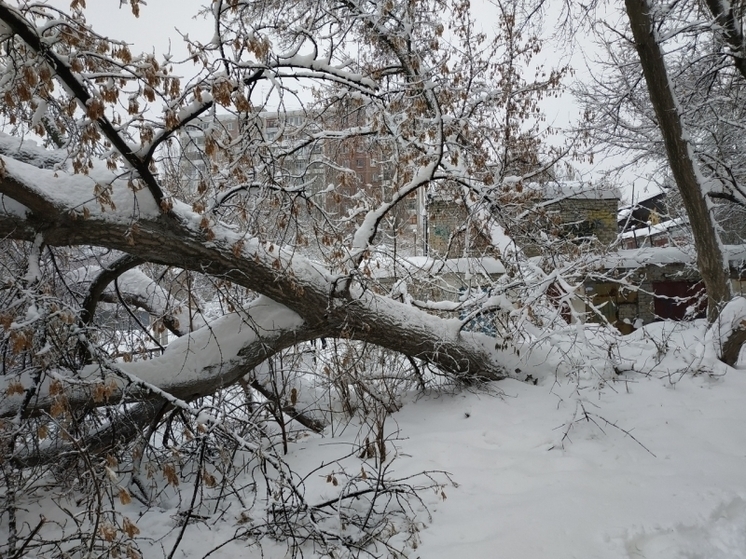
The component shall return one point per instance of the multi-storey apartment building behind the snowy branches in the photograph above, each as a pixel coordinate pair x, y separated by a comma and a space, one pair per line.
290, 150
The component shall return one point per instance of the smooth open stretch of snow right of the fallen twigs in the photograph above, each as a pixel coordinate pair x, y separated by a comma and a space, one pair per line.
601, 493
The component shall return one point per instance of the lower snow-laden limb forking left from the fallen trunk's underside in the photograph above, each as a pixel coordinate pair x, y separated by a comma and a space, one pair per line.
211, 358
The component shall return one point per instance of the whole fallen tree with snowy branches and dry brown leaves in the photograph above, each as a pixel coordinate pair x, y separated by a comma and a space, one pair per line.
406, 107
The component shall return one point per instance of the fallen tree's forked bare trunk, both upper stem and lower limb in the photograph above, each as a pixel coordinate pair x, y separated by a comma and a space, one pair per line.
323, 304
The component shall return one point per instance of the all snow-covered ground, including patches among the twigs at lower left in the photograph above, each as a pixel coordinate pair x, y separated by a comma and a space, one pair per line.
645, 465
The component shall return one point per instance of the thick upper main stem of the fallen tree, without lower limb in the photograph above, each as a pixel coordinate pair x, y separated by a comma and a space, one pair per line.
302, 285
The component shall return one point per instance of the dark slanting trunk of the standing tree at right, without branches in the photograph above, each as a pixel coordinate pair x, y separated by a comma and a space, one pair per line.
711, 261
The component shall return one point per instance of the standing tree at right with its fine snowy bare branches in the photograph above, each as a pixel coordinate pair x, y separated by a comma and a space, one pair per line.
671, 92
